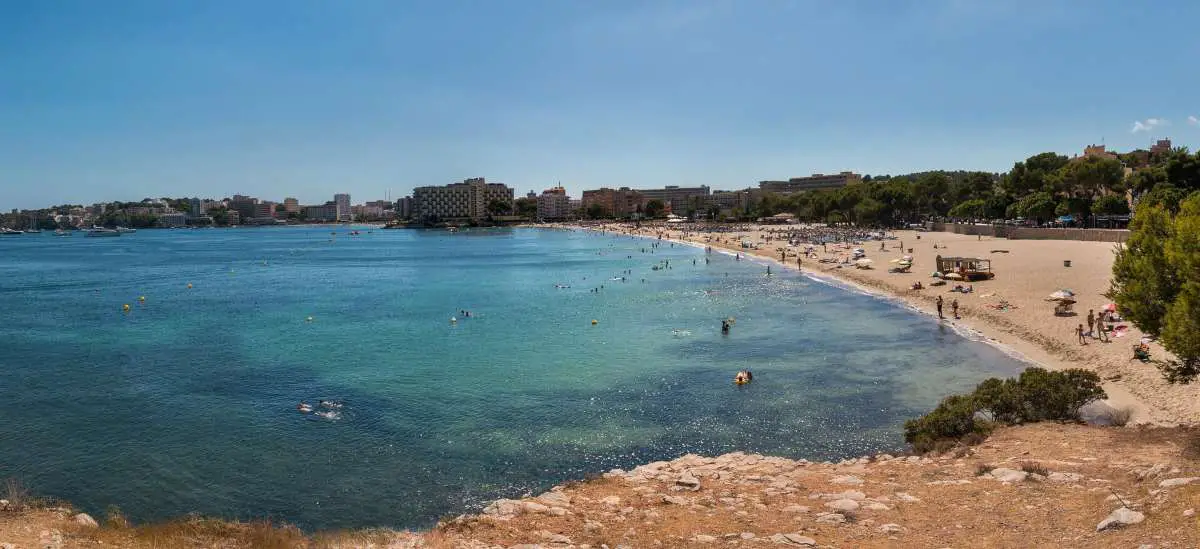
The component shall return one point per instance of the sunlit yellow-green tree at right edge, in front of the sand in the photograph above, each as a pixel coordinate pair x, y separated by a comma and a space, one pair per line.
1156, 282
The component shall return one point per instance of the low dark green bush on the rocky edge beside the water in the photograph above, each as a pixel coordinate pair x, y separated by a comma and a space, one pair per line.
1037, 395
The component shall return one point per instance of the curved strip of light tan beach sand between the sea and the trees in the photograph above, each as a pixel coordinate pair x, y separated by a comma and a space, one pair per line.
1022, 333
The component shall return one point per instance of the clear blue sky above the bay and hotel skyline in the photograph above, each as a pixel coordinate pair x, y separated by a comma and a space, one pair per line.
124, 100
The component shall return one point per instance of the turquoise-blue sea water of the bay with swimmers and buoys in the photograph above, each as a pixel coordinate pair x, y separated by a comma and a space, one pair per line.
188, 403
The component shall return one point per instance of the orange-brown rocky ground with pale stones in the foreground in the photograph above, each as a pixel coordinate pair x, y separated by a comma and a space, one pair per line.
1045, 486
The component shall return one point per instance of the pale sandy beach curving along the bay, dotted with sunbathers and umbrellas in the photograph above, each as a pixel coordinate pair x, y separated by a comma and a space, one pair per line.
1027, 273
